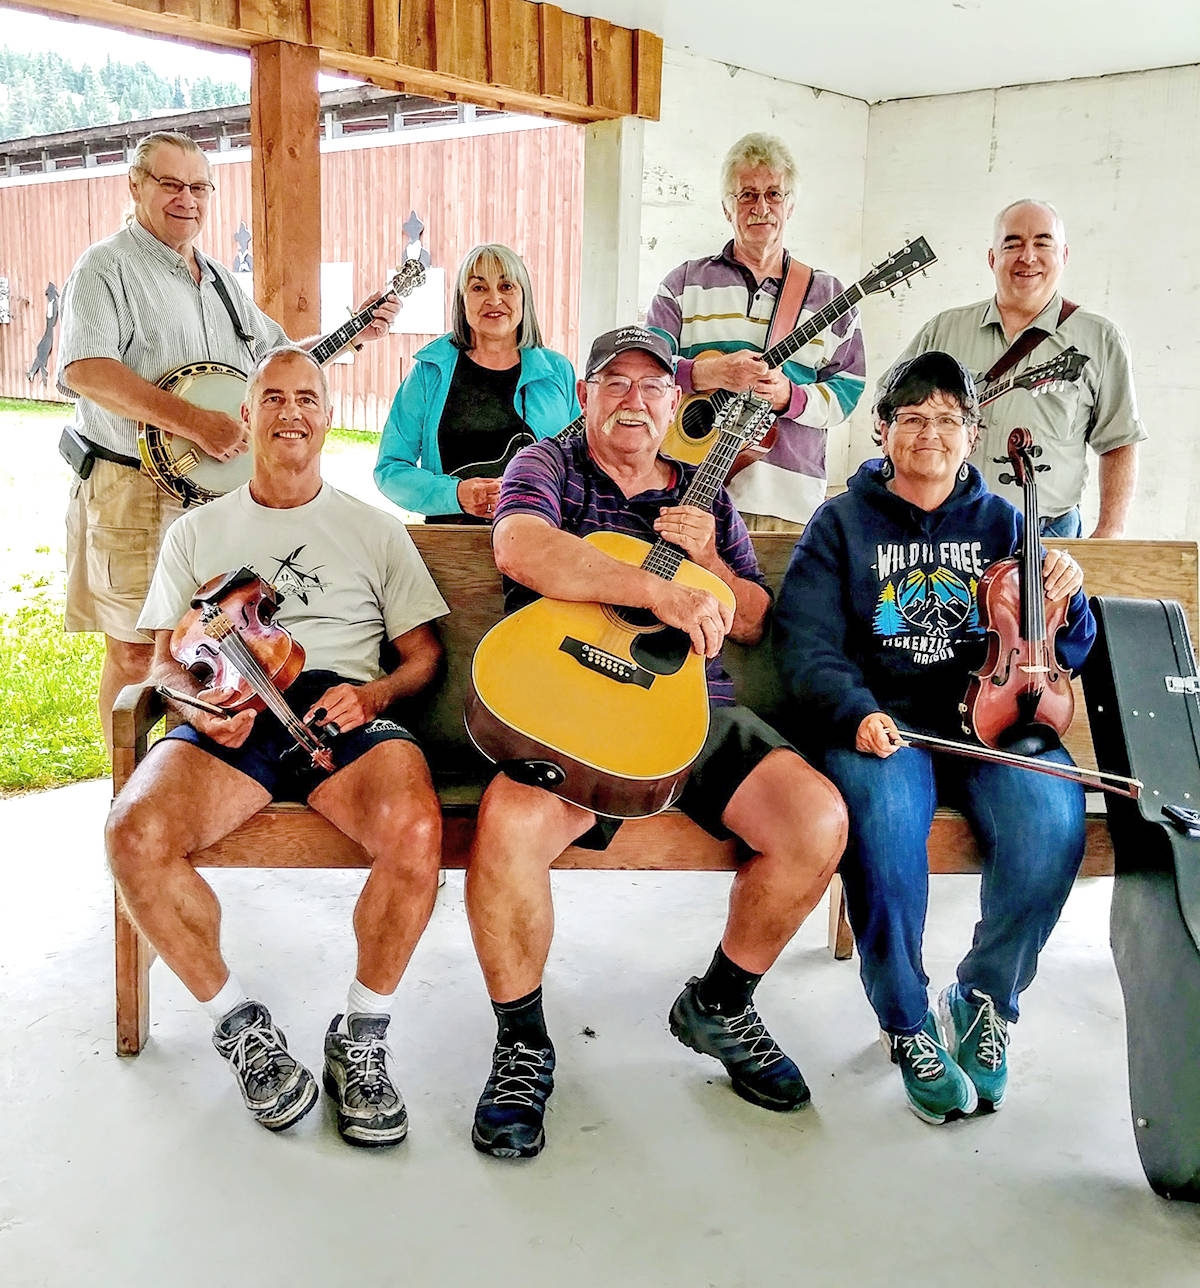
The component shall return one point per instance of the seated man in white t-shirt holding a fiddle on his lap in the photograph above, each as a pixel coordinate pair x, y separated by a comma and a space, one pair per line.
348, 580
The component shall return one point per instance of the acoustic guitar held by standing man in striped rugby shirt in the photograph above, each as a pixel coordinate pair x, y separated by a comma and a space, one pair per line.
692, 430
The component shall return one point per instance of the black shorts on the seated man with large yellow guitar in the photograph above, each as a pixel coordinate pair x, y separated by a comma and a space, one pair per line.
737, 743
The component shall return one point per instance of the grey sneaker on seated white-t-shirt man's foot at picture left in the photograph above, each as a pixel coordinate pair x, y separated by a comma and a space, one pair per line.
277, 1089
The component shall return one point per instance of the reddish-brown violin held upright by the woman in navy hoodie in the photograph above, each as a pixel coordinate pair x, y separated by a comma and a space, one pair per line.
1022, 699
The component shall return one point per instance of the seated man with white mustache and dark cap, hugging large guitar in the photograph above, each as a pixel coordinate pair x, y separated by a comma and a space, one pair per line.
747, 782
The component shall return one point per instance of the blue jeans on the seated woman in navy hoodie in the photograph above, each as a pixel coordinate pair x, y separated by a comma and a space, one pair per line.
1031, 833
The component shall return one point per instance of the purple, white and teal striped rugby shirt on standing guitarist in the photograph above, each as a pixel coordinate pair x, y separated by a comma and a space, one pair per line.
715, 303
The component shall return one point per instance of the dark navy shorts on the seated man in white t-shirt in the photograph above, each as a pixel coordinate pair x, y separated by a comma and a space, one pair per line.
267, 754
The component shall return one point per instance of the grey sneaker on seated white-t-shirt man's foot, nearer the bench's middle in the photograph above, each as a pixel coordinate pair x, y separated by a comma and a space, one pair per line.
357, 1079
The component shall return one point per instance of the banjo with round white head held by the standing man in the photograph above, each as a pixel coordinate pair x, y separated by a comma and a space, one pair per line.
182, 468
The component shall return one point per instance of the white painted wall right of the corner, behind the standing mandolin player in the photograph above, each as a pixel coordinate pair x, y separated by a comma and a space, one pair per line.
1121, 158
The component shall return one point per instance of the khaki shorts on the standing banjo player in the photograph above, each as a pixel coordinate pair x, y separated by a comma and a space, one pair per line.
115, 526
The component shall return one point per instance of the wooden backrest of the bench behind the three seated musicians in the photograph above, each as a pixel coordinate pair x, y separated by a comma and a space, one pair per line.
460, 560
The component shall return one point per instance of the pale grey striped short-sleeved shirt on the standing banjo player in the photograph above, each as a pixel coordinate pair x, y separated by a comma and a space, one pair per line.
133, 299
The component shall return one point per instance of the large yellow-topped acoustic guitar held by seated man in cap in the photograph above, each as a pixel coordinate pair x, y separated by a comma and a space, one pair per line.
605, 705
